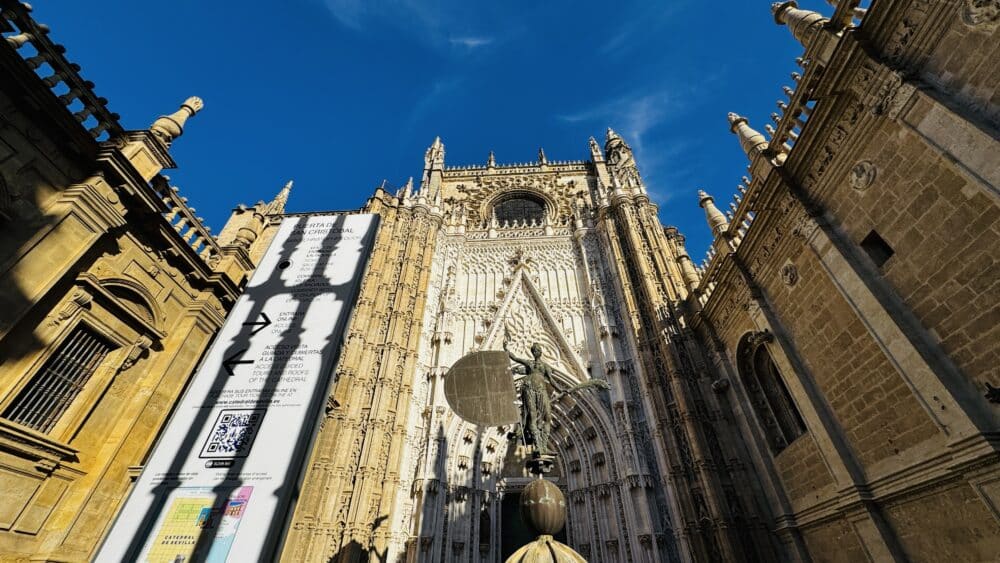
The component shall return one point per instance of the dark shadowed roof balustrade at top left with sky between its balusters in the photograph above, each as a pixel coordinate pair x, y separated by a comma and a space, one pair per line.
30, 41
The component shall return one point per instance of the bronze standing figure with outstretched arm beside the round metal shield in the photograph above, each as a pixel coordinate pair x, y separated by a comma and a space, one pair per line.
536, 407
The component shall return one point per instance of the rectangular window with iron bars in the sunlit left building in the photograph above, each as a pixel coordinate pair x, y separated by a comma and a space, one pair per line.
51, 391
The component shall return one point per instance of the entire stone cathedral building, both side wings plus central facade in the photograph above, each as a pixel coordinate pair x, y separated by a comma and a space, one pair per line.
821, 387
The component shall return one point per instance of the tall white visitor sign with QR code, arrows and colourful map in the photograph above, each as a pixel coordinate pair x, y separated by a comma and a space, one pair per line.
219, 484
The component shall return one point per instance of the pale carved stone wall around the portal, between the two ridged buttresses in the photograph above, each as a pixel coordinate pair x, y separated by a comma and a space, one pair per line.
521, 285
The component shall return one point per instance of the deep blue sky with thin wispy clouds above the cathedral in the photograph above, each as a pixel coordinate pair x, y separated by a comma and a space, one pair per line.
339, 94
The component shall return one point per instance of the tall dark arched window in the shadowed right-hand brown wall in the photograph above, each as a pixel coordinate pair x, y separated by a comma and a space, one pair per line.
769, 397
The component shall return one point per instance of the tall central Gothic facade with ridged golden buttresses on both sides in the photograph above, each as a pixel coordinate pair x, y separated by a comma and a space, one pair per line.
570, 255
